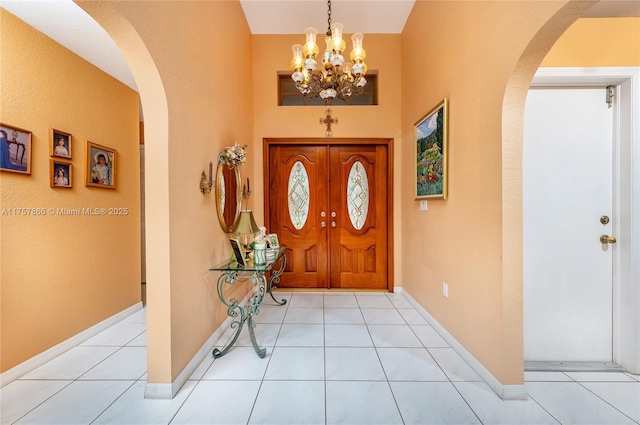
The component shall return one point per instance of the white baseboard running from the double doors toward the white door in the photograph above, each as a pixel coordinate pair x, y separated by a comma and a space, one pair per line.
505, 392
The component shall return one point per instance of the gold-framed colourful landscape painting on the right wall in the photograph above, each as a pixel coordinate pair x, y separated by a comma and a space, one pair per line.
431, 153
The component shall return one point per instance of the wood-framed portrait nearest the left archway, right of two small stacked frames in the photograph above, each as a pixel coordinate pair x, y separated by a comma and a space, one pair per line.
99, 166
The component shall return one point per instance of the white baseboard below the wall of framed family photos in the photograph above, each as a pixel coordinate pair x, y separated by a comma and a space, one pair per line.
27, 366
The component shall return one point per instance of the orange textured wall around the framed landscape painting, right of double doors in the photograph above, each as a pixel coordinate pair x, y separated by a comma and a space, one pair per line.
466, 51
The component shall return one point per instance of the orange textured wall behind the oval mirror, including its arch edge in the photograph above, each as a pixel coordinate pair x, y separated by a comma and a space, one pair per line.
200, 54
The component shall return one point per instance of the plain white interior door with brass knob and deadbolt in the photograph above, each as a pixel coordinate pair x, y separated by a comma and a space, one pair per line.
567, 188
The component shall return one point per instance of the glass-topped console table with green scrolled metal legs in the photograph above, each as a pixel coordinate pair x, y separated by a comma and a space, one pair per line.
231, 272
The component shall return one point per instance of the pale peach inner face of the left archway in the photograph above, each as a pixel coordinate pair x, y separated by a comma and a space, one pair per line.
154, 104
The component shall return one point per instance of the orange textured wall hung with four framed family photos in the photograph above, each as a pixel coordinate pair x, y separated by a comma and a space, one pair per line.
62, 274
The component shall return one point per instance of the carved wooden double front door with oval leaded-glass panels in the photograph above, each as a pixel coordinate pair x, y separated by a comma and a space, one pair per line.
331, 204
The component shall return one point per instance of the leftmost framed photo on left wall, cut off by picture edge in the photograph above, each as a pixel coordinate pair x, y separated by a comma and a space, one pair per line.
15, 149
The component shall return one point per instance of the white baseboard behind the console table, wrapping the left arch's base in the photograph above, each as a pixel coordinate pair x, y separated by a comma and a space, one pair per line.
168, 391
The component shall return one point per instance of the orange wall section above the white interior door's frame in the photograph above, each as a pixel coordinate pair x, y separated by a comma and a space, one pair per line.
597, 42
